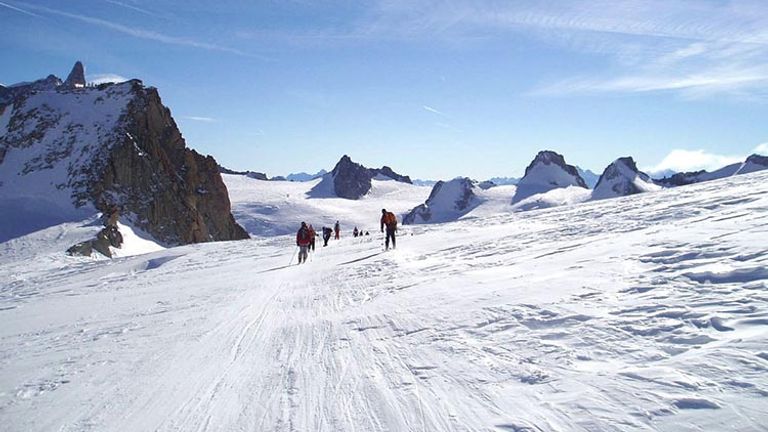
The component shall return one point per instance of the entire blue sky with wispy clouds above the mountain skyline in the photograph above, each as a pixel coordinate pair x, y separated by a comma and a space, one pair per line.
435, 89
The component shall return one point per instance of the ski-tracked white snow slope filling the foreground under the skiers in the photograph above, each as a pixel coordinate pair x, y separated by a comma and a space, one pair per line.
647, 312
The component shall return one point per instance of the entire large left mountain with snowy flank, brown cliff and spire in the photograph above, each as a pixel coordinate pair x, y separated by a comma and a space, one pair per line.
114, 146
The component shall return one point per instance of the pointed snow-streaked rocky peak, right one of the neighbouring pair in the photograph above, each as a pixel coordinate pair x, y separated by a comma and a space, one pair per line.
622, 178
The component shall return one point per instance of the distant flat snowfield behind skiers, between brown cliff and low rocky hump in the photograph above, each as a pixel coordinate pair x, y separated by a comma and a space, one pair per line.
269, 208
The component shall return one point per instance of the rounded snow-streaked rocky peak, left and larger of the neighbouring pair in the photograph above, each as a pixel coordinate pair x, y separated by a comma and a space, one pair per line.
547, 171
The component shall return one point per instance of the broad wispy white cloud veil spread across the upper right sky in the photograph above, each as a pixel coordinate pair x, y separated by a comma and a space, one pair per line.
693, 48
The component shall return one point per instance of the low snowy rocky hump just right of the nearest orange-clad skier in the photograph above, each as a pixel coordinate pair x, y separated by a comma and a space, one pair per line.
448, 201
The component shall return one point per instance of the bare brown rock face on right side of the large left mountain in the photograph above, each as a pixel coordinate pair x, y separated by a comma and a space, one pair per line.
176, 194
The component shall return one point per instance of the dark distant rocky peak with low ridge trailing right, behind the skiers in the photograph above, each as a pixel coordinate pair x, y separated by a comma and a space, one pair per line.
351, 180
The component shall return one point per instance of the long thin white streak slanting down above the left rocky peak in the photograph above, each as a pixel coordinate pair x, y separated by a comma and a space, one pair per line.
141, 33
